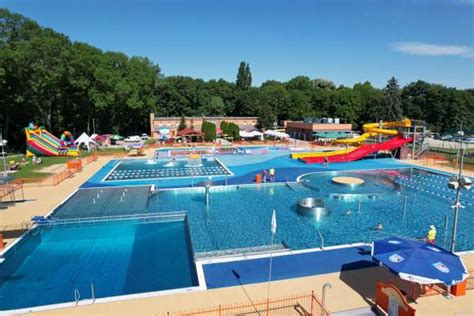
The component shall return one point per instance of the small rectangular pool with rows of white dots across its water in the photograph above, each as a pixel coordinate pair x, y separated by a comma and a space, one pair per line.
140, 169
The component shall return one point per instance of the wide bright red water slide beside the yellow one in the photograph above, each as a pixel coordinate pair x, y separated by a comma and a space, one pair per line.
361, 151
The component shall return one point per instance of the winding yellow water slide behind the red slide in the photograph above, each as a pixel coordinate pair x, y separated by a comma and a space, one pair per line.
370, 130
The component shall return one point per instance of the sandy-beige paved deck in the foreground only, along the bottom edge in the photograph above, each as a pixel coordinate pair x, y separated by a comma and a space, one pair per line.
351, 289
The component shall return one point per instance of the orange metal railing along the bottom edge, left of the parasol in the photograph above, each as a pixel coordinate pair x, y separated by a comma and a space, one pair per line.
302, 304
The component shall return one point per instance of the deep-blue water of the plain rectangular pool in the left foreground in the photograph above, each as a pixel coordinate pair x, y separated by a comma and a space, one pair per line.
118, 258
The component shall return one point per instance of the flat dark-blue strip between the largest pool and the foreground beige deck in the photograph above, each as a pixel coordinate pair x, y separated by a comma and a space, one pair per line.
286, 267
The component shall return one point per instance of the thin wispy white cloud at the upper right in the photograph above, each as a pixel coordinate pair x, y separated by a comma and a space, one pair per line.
426, 49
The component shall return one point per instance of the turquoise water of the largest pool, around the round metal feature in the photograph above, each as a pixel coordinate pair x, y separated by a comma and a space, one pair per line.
239, 217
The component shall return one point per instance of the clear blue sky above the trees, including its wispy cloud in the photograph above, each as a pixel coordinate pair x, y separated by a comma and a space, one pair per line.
346, 41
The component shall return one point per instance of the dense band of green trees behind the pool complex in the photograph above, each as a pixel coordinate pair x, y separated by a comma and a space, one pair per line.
64, 85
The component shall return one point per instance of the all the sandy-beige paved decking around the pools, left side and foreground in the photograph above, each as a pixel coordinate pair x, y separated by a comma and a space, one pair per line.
356, 287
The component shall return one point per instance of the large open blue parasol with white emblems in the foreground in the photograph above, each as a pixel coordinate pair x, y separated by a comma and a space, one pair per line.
418, 261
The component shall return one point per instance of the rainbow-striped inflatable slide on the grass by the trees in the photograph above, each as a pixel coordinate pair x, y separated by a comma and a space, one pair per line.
39, 142
